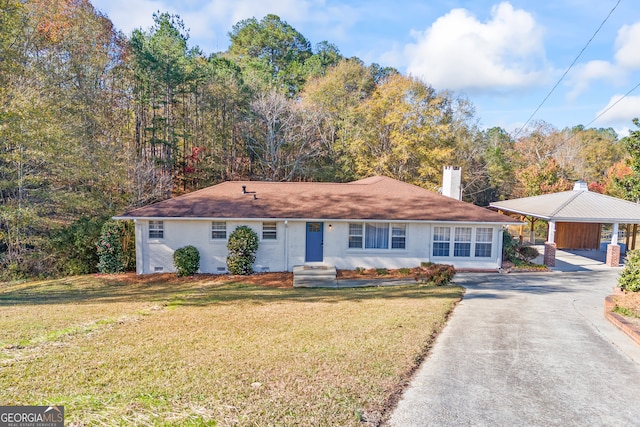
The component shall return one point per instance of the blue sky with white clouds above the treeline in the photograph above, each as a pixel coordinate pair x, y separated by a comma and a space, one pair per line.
505, 57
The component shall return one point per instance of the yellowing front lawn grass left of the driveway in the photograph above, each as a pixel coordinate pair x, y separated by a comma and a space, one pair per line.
128, 350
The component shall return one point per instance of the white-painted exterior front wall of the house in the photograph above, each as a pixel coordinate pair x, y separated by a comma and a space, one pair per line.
156, 255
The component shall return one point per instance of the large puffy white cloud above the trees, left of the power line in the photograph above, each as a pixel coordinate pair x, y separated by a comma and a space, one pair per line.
461, 53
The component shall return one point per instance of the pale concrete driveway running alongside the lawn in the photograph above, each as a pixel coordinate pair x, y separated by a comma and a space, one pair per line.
528, 349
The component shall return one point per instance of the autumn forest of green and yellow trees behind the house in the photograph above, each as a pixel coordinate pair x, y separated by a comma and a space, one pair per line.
94, 122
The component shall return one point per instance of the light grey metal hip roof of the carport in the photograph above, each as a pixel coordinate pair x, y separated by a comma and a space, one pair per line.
579, 205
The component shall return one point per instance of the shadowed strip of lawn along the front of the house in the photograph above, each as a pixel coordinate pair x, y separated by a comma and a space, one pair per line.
172, 291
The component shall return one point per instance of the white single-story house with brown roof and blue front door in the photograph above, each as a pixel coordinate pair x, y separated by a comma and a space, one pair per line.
373, 222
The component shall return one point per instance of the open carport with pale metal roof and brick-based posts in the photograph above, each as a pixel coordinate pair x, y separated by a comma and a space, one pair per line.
575, 220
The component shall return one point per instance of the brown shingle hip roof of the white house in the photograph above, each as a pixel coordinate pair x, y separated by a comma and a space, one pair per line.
376, 198
